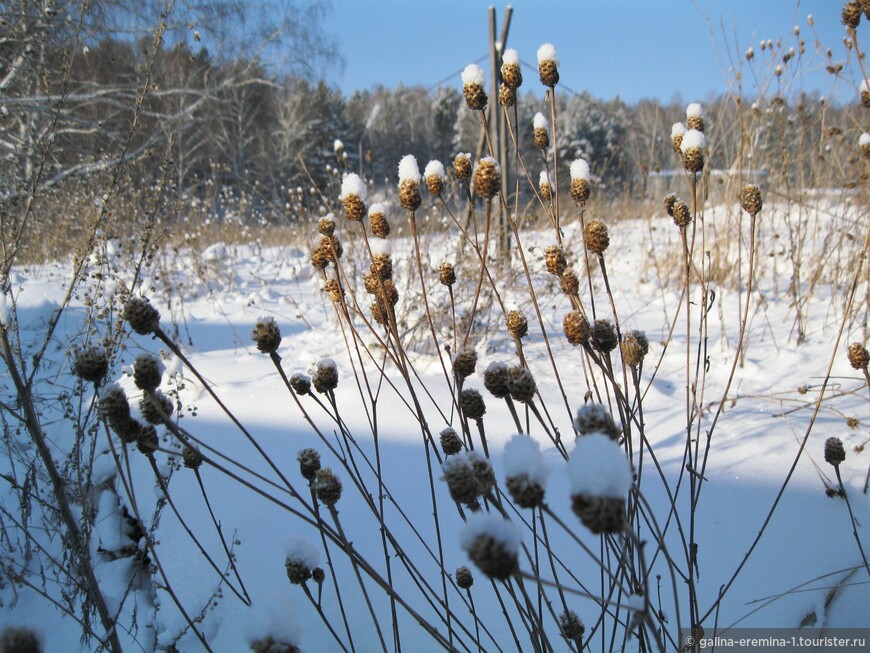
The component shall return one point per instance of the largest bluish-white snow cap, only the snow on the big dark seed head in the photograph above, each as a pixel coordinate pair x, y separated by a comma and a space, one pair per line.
598, 467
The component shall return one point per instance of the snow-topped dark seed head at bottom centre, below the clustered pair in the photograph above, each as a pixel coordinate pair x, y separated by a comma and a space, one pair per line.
492, 543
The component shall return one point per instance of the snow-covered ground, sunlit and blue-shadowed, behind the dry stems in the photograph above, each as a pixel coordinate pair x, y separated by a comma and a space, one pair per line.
807, 550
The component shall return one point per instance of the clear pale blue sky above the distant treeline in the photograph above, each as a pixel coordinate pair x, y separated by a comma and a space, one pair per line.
630, 48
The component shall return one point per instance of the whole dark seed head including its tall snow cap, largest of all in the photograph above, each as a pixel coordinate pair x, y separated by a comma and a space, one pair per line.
600, 476
